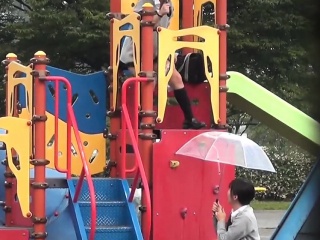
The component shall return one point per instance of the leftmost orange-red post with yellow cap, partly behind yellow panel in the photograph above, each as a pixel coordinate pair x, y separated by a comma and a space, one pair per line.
9, 176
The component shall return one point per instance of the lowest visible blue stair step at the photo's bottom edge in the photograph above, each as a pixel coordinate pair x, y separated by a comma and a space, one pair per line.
116, 232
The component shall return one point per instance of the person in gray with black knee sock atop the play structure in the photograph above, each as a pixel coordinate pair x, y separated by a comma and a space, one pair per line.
164, 13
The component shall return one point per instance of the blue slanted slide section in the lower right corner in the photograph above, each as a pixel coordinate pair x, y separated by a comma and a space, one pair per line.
301, 207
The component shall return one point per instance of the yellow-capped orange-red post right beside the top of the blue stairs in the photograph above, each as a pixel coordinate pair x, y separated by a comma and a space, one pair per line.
147, 113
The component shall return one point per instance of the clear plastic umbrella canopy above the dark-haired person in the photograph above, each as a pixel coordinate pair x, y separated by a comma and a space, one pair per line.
227, 148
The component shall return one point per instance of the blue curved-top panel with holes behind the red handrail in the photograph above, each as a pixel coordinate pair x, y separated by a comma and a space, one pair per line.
91, 116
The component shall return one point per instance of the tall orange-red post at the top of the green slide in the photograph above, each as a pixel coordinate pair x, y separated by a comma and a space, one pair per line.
222, 25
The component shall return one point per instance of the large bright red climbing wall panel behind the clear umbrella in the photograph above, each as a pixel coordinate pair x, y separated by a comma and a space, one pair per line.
188, 187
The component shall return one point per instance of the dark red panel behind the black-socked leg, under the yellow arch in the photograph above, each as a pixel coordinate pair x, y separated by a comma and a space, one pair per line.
173, 118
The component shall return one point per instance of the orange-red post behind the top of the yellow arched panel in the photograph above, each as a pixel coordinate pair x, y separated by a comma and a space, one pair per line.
187, 21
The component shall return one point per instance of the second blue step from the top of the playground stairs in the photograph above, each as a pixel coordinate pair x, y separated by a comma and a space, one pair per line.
108, 213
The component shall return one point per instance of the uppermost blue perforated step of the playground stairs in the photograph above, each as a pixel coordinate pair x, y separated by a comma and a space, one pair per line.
106, 189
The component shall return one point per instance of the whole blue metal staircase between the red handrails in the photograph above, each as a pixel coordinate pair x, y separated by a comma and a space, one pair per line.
116, 217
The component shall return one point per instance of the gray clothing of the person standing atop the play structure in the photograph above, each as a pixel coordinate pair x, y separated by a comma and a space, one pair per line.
126, 55
